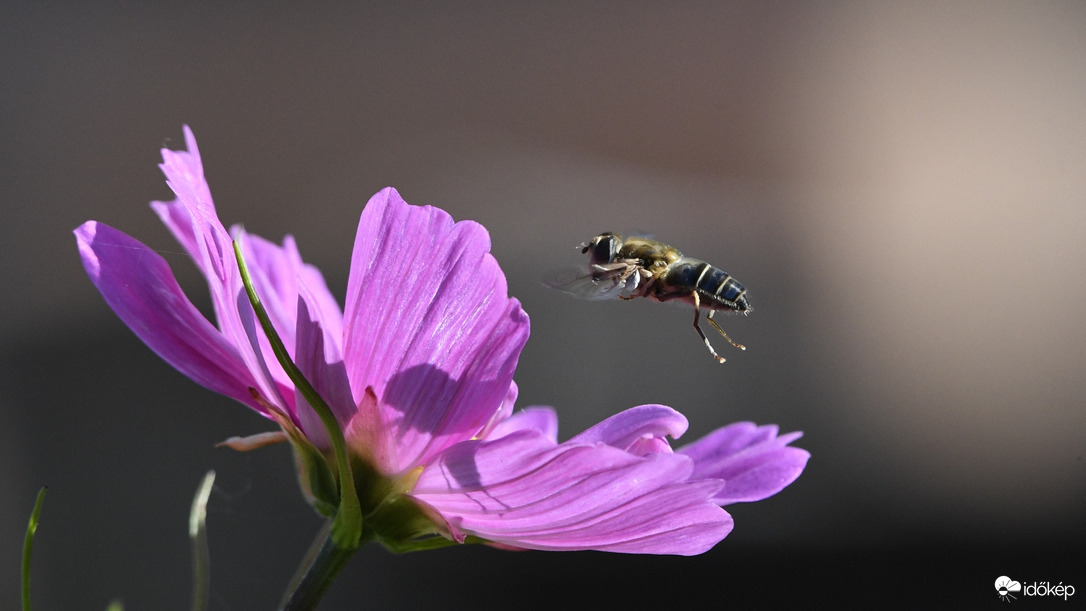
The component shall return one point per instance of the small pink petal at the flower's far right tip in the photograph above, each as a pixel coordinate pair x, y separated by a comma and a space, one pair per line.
754, 462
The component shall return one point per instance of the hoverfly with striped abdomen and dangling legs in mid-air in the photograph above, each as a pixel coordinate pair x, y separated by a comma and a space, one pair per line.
638, 268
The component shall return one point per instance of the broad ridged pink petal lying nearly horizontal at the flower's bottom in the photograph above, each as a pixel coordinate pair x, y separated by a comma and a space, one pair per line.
524, 491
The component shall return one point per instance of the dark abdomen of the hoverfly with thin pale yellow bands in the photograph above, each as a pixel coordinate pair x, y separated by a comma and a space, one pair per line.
716, 289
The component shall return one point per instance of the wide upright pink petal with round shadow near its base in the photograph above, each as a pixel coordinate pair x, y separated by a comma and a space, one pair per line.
430, 326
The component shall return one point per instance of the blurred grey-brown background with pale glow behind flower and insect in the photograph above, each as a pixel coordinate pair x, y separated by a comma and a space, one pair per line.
901, 186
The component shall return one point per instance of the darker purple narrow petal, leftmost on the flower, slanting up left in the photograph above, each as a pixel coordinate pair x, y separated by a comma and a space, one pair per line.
141, 288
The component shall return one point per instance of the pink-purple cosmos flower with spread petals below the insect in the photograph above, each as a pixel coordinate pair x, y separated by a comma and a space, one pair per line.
418, 371
